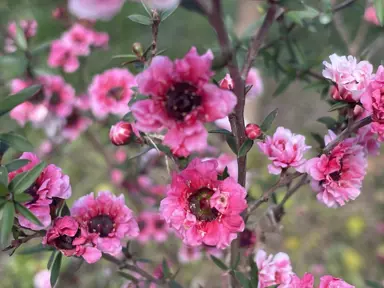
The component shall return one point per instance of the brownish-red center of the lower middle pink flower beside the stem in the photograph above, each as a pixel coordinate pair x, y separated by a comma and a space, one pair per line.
199, 205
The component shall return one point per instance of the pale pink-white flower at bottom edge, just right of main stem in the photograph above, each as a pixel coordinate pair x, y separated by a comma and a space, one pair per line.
273, 270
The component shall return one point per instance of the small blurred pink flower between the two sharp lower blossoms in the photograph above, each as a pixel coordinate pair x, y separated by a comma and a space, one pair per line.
152, 226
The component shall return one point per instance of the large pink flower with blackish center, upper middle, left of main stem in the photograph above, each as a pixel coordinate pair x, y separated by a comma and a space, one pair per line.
182, 99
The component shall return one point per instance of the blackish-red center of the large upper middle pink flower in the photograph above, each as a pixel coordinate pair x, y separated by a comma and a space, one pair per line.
181, 100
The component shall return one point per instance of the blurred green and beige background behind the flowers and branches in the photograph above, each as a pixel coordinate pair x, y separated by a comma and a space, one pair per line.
343, 241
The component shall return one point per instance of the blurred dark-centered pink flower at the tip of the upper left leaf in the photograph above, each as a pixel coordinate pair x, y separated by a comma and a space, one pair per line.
60, 96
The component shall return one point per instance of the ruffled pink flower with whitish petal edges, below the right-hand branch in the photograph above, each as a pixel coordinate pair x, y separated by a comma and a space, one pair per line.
337, 177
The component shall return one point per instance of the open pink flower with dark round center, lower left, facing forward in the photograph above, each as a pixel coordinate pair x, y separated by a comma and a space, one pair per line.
107, 219
